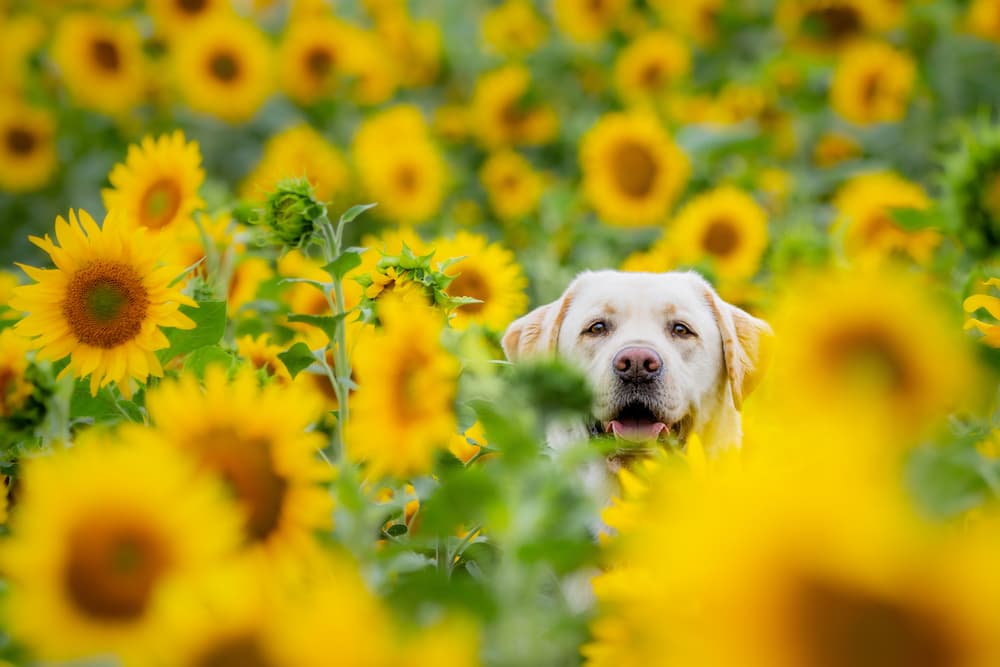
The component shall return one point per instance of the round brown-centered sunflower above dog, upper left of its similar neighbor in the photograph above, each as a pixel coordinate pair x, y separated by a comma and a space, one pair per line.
632, 171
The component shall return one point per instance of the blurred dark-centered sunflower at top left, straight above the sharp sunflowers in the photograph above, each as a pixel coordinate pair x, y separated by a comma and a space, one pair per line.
101, 62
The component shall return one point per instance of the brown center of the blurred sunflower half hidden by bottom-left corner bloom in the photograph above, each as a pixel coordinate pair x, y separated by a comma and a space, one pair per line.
246, 465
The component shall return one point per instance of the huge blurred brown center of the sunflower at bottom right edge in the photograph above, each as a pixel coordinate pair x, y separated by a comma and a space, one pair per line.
839, 625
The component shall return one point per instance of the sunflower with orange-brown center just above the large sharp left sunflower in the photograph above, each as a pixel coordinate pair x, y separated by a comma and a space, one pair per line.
157, 185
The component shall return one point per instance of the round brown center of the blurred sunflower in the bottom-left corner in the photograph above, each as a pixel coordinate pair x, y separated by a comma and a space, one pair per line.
113, 567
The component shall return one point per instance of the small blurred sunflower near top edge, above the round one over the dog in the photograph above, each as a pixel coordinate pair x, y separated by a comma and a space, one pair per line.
650, 65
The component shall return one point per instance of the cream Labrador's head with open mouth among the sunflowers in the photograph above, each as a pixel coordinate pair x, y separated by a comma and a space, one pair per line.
663, 352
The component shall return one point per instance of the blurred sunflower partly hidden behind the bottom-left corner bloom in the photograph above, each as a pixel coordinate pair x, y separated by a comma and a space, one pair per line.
256, 440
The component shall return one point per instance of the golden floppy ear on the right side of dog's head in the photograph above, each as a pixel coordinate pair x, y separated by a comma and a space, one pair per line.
746, 345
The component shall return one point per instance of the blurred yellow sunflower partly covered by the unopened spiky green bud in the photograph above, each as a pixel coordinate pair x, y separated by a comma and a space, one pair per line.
298, 151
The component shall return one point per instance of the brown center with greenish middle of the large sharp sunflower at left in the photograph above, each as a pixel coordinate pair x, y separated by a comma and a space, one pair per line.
105, 304
